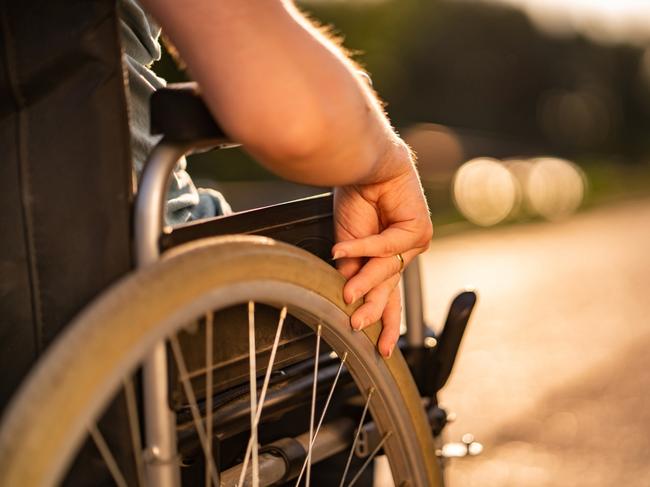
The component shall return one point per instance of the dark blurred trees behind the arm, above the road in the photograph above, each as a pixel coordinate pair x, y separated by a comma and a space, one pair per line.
484, 70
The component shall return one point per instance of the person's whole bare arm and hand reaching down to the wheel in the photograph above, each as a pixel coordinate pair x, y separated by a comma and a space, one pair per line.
279, 86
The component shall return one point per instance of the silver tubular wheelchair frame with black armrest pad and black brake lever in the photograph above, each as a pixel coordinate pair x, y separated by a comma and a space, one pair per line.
149, 211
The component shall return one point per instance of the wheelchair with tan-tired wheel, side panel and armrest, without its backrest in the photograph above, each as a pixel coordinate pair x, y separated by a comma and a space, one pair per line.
226, 357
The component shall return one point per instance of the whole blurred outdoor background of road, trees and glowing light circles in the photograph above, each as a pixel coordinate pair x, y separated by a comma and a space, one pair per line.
530, 119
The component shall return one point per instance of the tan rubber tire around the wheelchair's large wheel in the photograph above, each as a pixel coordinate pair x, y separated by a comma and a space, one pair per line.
65, 384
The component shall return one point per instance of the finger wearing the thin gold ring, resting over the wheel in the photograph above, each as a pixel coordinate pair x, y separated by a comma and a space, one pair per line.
372, 274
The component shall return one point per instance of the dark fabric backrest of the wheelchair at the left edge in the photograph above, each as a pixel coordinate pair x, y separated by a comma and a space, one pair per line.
65, 184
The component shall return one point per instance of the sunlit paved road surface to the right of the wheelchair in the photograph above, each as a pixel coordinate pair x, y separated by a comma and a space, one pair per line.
554, 374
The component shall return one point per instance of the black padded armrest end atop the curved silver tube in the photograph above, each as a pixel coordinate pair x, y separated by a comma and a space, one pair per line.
179, 113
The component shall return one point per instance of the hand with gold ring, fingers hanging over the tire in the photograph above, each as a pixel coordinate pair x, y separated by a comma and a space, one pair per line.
373, 223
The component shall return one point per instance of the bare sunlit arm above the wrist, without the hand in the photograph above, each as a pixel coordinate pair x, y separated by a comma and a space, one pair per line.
282, 89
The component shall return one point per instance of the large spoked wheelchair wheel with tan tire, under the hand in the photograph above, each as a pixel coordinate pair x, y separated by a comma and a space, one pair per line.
107, 342
